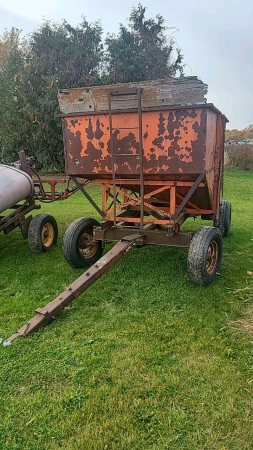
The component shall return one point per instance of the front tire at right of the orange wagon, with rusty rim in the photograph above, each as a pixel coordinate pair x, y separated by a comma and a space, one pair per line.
205, 255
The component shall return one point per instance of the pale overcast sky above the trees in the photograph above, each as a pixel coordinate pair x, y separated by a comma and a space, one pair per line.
215, 37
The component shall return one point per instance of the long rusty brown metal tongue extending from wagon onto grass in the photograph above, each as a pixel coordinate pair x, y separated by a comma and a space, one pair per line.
54, 308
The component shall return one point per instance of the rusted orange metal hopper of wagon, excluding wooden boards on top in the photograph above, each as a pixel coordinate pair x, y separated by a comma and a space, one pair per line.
180, 146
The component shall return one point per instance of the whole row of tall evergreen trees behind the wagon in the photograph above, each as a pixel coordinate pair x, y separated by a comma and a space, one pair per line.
57, 56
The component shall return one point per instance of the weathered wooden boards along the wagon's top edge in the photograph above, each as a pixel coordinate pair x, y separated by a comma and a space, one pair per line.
156, 93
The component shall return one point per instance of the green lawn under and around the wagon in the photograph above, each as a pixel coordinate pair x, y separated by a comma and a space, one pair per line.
143, 359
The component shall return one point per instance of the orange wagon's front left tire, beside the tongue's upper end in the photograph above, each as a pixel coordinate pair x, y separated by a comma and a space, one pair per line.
74, 250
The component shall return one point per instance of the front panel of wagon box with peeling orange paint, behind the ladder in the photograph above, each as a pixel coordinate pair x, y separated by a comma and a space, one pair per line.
173, 141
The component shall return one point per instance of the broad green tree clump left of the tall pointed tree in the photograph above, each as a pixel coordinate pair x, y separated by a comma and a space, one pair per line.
57, 55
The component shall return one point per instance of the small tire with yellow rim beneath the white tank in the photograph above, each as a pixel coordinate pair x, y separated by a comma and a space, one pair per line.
42, 233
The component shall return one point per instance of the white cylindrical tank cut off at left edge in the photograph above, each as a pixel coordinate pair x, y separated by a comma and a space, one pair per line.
15, 185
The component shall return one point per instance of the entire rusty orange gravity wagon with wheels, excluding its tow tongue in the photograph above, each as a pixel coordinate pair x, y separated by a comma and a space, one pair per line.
157, 149
